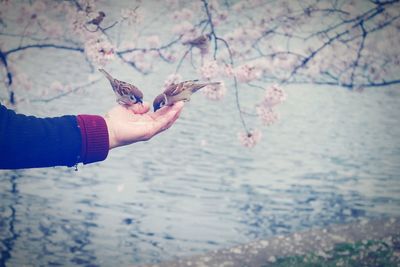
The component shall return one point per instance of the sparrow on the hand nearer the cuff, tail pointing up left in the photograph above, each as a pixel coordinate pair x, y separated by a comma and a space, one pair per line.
127, 94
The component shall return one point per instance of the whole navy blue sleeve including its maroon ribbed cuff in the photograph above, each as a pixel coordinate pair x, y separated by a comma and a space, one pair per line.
30, 142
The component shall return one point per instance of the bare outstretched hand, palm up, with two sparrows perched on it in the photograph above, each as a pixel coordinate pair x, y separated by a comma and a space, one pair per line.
134, 124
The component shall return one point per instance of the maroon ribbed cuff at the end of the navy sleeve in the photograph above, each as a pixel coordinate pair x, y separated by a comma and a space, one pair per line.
95, 142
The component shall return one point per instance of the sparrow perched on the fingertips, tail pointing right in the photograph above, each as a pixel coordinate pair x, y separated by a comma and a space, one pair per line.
178, 92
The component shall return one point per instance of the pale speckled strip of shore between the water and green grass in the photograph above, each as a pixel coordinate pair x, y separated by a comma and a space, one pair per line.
317, 241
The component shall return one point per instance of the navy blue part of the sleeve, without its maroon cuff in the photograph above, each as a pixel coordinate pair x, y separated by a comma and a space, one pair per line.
30, 142
